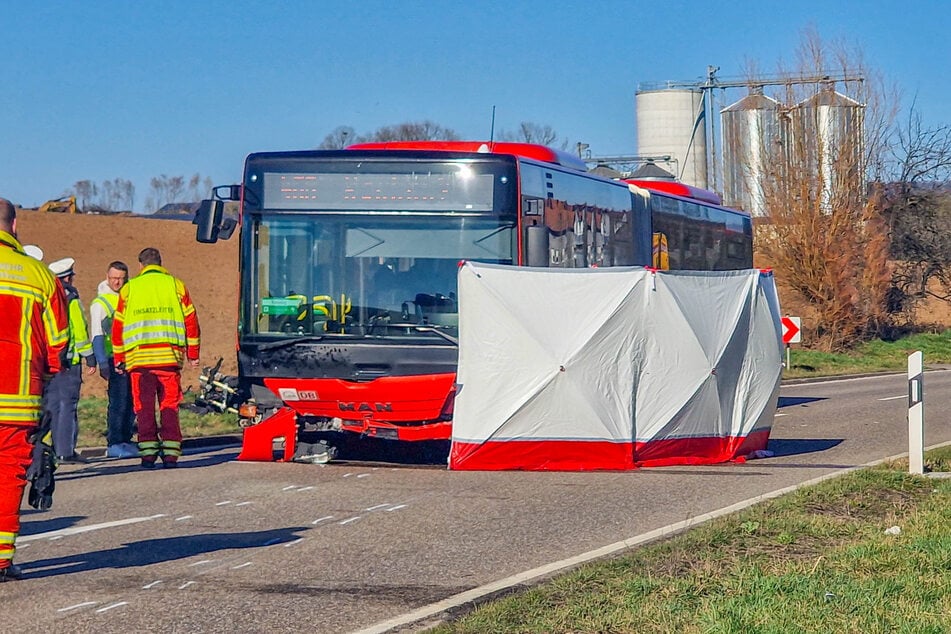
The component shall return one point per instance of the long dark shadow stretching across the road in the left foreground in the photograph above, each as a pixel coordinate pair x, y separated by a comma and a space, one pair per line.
153, 551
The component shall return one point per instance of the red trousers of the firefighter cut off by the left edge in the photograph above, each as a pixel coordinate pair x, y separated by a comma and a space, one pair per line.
15, 452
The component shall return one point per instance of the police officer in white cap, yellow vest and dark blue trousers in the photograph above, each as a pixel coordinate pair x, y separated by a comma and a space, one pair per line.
63, 391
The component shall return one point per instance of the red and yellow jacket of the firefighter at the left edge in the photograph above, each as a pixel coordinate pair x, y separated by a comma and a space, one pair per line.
33, 331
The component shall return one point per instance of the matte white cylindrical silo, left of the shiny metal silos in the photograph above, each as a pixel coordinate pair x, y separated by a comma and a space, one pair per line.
670, 121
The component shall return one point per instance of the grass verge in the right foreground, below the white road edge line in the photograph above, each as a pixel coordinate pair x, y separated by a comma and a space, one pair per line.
817, 560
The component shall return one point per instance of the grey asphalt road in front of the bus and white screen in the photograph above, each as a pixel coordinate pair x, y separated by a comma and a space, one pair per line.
223, 546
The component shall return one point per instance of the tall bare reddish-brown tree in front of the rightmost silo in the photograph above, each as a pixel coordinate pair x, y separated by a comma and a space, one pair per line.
825, 235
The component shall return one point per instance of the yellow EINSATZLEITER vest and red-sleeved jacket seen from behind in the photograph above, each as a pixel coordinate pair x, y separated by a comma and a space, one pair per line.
155, 323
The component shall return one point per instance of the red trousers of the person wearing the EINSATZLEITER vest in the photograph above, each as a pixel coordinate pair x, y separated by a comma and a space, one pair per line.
164, 385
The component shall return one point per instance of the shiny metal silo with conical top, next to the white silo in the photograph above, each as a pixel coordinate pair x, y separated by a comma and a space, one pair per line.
751, 131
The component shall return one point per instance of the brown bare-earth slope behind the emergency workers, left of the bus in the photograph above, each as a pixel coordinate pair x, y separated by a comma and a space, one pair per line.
210, 271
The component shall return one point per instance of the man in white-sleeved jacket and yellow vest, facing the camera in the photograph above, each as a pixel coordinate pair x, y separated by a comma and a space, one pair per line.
120, 418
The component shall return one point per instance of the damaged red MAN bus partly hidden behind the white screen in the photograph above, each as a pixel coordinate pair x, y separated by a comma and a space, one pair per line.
348, 317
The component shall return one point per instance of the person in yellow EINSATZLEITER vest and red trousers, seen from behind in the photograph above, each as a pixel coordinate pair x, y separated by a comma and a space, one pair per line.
154, 329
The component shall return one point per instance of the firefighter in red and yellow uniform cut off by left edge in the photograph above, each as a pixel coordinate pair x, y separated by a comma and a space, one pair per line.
33, 333
